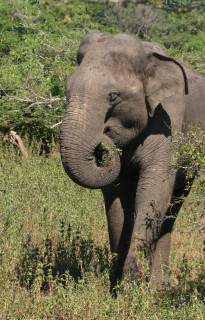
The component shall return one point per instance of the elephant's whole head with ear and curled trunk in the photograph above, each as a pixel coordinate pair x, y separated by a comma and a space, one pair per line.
110, 98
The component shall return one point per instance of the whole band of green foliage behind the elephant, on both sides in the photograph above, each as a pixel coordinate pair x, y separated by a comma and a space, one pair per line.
39, 40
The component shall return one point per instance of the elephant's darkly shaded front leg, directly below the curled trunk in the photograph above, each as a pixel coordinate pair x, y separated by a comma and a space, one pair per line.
120, 219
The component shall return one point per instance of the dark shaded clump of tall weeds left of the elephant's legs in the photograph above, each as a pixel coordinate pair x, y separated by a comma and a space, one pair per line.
73, 255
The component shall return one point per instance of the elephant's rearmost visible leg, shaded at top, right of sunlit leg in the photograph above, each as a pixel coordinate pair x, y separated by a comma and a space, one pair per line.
160, 272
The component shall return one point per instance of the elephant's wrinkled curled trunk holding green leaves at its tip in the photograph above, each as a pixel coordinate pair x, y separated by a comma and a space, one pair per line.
89, 157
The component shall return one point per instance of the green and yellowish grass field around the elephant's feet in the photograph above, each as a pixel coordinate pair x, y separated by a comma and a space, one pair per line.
55, 259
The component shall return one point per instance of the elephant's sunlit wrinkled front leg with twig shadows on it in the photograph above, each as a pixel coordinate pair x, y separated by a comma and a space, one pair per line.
153, 197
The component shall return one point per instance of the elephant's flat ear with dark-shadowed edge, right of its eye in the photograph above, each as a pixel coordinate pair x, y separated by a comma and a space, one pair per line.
164, 77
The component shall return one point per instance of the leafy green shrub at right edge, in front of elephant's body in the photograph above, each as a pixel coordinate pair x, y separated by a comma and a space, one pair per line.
190, 148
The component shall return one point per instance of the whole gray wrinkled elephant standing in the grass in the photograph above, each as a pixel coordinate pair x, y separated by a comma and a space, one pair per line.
131, 95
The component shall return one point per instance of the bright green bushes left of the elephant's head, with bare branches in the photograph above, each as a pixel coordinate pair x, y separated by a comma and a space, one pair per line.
39, 40
